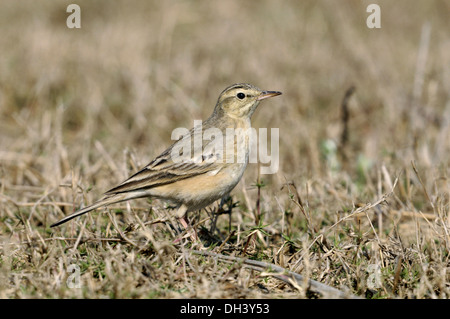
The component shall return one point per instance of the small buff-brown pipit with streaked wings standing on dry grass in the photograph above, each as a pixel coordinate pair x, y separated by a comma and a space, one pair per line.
194, 182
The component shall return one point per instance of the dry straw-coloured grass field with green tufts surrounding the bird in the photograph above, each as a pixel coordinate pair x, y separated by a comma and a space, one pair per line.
82, 109
